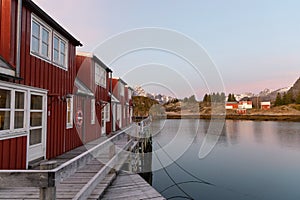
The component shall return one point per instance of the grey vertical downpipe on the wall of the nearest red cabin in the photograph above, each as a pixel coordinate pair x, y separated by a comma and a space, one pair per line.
19, 35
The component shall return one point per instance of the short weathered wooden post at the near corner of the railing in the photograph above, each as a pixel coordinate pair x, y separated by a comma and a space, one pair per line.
48, 193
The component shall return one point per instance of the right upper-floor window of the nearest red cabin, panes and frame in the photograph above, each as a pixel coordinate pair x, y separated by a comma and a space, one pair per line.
59, 51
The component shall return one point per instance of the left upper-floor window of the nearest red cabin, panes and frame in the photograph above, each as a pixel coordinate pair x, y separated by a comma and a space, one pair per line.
40, 39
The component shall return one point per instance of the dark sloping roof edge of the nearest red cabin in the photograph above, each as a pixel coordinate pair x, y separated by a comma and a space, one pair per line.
51, 22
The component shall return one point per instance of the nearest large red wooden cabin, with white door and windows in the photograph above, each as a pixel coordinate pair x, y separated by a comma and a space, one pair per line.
37, 75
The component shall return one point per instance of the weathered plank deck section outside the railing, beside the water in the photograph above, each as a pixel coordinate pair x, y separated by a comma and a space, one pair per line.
130, 186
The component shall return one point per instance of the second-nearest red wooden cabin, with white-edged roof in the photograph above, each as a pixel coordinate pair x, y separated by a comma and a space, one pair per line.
94, 74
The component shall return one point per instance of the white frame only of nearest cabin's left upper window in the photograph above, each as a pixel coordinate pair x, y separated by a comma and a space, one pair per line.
43, 26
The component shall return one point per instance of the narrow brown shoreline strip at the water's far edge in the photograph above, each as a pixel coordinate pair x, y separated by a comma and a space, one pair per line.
253, 117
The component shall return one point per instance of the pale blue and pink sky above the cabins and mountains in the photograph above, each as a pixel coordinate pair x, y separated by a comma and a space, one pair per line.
251, 45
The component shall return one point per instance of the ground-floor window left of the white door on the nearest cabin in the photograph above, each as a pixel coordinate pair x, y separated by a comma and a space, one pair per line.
12, 110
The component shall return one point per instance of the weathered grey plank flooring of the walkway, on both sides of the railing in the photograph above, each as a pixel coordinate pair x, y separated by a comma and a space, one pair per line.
125, 185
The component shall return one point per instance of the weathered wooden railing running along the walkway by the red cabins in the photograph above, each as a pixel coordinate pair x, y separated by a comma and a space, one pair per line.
48, 179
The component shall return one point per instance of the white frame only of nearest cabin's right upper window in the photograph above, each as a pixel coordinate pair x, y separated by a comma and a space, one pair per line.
60, 40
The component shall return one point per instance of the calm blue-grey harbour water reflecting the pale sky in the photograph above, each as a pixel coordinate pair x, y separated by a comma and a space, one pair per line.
252, 160
